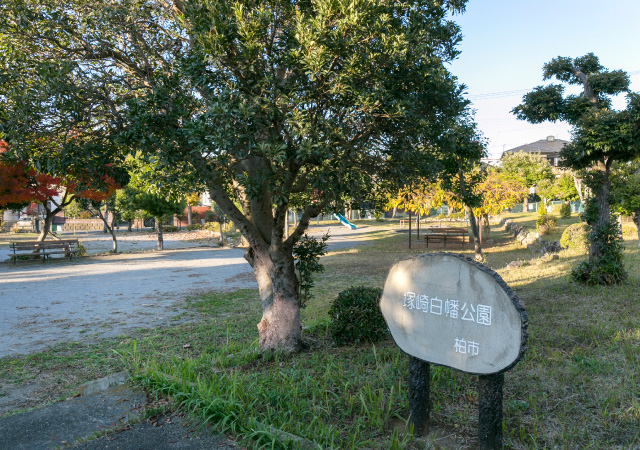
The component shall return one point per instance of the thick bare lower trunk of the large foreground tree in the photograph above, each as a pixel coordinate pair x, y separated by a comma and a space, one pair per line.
280, 327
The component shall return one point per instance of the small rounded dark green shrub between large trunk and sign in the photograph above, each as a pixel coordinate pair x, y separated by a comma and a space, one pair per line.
356, 316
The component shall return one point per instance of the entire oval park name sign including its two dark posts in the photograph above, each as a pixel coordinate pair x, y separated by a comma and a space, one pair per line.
446, 309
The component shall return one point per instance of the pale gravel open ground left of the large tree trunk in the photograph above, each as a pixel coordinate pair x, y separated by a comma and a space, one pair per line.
102, 296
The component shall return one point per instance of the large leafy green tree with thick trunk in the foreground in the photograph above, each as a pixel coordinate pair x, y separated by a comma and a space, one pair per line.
261, 102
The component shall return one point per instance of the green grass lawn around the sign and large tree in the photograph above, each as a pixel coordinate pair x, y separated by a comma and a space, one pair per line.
577, 387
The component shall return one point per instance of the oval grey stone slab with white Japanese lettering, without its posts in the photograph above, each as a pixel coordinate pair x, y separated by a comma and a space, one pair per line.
446, 309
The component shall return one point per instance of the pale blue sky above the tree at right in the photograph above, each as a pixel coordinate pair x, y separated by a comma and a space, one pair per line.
506, 43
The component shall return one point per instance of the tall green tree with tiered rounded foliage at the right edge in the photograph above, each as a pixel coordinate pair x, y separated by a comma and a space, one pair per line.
601, 136
